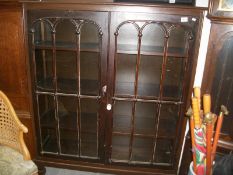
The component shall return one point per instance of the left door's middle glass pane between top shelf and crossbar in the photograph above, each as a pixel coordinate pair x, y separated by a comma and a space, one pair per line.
66, 71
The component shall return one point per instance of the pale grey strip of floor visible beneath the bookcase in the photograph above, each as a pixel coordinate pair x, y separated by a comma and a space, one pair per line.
57, 171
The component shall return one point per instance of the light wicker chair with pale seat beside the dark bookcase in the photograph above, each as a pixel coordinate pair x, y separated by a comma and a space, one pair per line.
14, 156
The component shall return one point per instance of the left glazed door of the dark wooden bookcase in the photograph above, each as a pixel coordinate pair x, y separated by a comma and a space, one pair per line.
68, 58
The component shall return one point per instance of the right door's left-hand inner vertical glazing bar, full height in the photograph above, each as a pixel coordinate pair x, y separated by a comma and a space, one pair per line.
135, 91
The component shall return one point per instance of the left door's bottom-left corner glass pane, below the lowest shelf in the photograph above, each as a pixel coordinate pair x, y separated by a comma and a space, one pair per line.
49, 140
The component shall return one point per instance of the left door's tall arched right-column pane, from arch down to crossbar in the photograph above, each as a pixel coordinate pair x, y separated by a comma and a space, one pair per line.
89, 61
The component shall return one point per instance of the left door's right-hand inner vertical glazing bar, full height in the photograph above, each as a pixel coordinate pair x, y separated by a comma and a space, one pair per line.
78, 33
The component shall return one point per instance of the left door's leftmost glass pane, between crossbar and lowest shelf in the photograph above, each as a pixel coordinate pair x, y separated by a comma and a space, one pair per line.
46, 111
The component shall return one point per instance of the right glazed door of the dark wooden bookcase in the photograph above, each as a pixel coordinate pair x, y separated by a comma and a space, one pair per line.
149, 63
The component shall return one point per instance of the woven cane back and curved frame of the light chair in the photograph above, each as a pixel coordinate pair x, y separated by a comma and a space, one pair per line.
11, 129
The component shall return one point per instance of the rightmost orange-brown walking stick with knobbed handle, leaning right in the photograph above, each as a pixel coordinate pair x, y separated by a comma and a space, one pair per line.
223, 112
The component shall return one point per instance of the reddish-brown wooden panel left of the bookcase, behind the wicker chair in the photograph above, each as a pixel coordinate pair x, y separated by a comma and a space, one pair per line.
14, 67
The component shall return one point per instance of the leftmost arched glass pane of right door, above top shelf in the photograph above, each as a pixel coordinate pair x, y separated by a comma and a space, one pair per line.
127, 39
